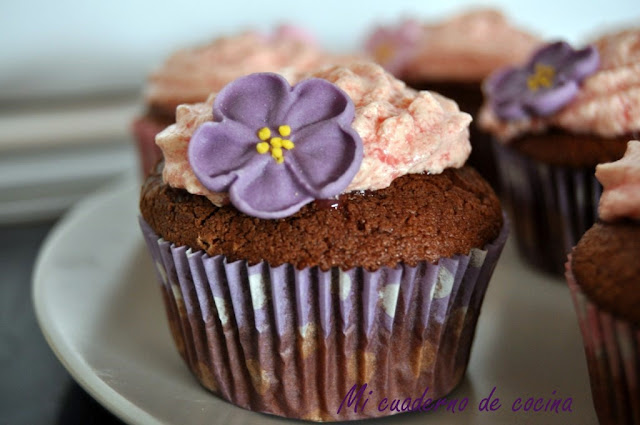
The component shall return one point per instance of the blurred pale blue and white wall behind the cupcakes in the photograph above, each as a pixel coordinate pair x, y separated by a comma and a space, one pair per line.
71, 72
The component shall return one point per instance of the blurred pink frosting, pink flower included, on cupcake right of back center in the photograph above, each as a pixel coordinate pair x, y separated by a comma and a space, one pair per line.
466, 47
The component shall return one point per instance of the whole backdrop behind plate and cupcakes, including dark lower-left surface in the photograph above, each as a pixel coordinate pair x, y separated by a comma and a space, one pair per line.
71, 78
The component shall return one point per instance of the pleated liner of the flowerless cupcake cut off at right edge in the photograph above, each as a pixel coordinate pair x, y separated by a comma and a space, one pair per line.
612, 348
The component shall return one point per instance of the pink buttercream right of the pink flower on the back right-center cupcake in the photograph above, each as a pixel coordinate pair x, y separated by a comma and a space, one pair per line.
468, 47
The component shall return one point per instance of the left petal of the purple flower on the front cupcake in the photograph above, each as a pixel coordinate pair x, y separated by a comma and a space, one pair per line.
220, 152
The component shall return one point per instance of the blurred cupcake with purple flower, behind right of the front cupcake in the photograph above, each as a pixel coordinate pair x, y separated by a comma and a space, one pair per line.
553, 120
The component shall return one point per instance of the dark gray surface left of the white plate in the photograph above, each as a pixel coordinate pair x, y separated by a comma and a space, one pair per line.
34, 387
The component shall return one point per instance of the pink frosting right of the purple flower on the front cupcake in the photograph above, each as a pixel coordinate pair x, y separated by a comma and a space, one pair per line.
403, 131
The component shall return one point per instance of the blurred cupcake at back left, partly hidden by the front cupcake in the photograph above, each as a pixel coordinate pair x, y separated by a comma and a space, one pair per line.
190, 75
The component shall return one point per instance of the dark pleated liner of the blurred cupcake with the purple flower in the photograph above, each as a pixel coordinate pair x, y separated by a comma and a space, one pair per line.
551, 206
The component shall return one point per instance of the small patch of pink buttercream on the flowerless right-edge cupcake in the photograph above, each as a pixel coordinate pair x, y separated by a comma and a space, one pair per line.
621, 182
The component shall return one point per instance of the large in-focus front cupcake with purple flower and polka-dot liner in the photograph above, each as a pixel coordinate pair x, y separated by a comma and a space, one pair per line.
322, 243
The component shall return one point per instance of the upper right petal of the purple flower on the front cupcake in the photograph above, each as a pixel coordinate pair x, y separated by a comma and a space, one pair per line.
316, 100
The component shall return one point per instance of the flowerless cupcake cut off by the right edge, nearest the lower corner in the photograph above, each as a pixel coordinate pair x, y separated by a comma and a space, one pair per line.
603, 274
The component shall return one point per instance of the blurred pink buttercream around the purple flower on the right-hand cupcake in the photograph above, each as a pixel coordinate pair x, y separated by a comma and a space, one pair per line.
607, 105
